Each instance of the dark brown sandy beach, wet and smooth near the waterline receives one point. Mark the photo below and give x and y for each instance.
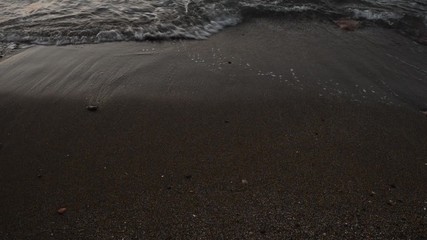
(269, 130)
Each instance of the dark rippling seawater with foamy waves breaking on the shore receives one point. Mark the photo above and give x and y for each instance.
(91, 21)
